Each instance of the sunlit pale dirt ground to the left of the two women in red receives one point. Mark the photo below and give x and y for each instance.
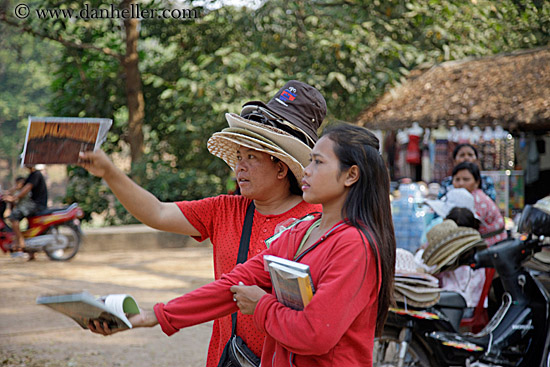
(35, 336)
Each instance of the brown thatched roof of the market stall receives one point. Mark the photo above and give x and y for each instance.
(511, 90)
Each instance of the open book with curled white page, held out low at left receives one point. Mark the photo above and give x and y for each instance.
(82, 307)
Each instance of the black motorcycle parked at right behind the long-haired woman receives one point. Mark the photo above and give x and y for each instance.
(518, 334)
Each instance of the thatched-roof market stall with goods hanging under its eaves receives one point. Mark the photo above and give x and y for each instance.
(500, 104)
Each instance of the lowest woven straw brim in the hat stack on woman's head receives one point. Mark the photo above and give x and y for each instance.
(225, 146)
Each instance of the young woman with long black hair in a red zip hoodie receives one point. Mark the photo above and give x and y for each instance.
(350, 249)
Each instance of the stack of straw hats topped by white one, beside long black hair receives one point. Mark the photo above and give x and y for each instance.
(412, 286)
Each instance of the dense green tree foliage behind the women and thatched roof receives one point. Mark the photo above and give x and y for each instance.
(194, 71)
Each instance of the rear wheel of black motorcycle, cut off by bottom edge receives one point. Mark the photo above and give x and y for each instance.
(387, 348)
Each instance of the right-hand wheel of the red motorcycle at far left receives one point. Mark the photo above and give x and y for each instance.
(67, 244)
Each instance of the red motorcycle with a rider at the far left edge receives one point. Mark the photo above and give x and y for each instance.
(56, 231)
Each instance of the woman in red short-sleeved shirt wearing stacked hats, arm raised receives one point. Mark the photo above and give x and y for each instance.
(267, 147)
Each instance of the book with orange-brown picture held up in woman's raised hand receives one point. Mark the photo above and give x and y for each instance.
(58, 140)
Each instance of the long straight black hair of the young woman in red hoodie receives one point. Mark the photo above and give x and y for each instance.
(367, 206)
